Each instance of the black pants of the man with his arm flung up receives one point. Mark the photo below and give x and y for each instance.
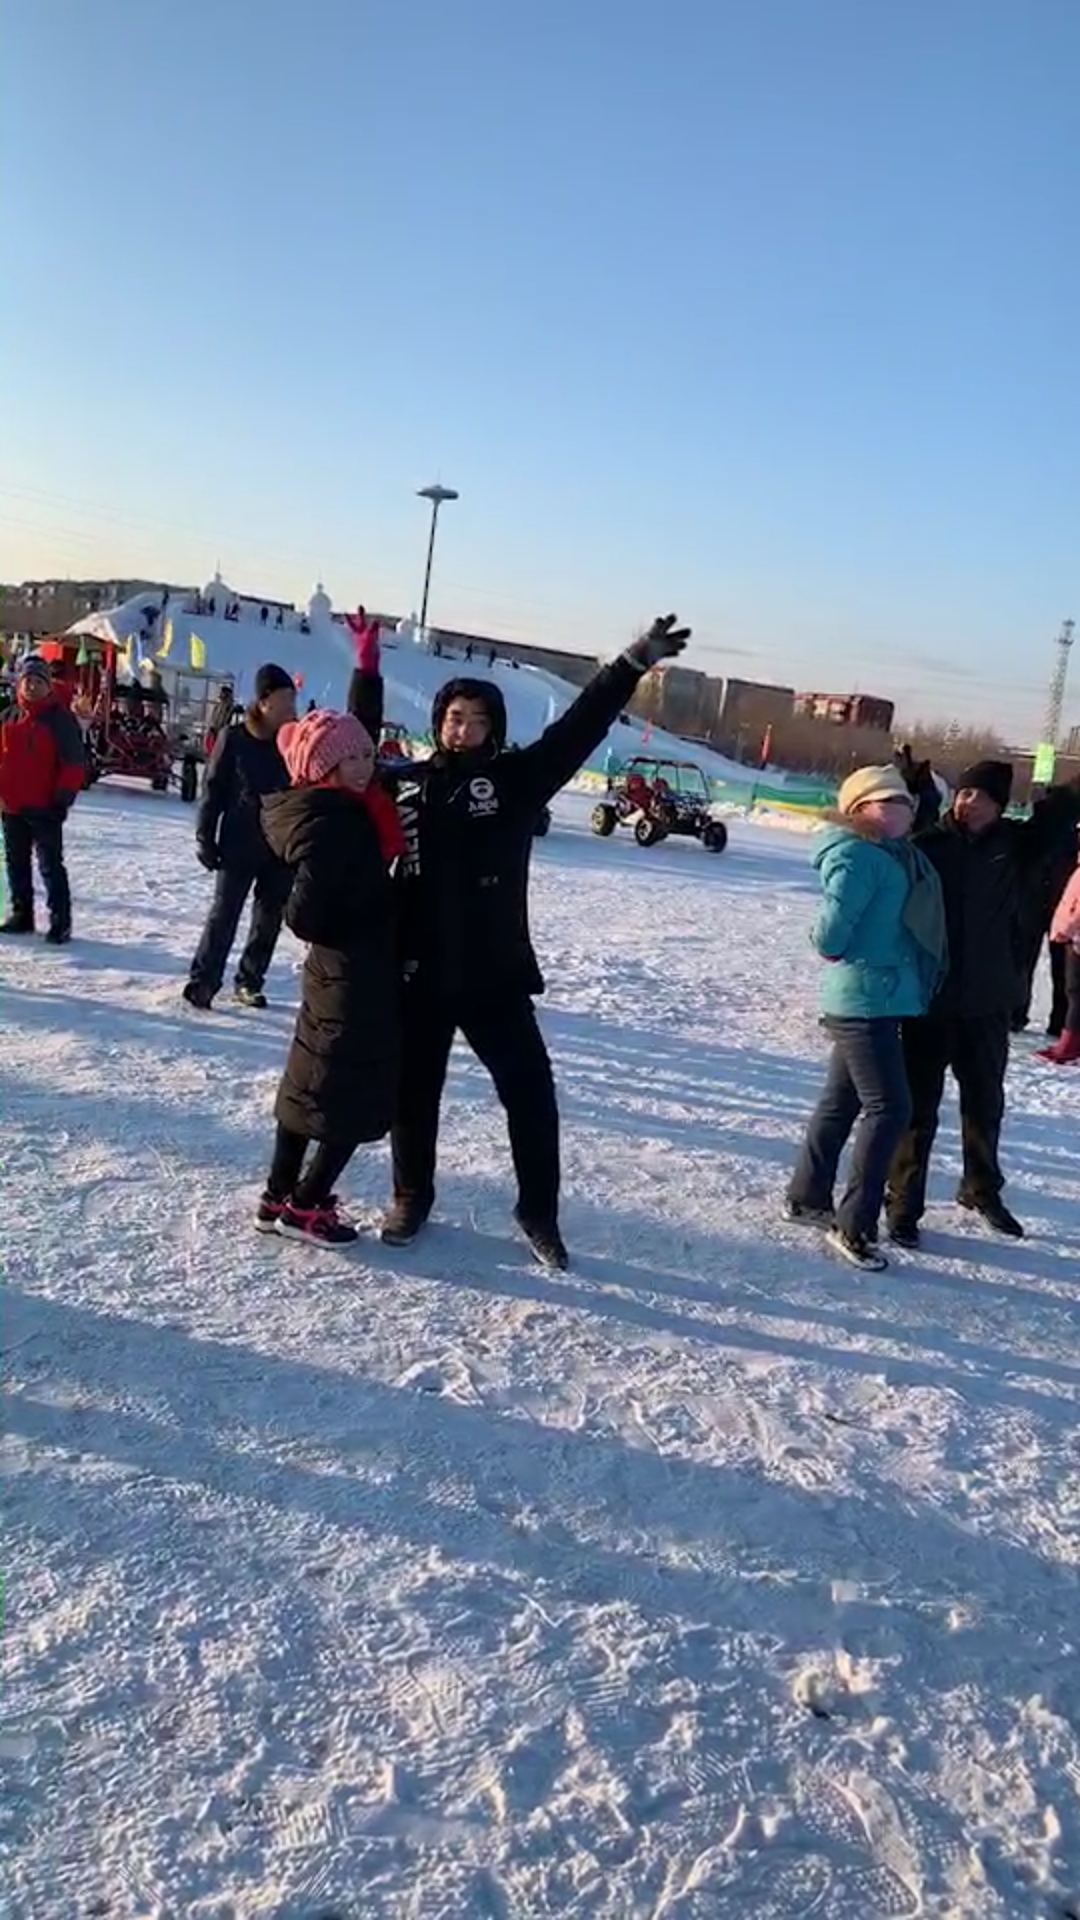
(508, 1042)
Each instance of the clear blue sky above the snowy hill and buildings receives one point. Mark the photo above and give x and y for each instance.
(766, 310)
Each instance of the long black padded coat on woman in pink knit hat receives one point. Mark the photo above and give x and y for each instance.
(343, 1065)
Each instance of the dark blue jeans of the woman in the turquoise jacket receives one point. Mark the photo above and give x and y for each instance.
(866, 1078)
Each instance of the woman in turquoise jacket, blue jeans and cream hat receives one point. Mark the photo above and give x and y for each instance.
(883, 932)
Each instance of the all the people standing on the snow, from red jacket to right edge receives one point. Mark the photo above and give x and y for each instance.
(408, 884)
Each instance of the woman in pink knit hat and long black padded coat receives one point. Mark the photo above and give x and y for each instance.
(337, 836)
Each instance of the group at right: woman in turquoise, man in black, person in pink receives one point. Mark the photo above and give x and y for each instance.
(925, 926)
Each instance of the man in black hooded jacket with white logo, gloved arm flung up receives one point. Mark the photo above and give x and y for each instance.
(470, 815)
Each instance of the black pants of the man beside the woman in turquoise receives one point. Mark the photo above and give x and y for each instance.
(979, 1055)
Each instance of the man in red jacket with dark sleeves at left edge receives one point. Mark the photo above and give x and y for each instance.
(41, 771)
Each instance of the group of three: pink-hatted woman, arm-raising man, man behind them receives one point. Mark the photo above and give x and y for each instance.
(408, 884)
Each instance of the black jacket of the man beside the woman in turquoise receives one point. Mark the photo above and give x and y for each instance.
(987, 884)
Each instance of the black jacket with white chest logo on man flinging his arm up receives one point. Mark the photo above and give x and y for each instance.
(470, 823)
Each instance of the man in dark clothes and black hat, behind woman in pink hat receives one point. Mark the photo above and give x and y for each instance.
(232, 846)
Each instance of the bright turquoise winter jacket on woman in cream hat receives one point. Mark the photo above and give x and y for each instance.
(881, 923)
